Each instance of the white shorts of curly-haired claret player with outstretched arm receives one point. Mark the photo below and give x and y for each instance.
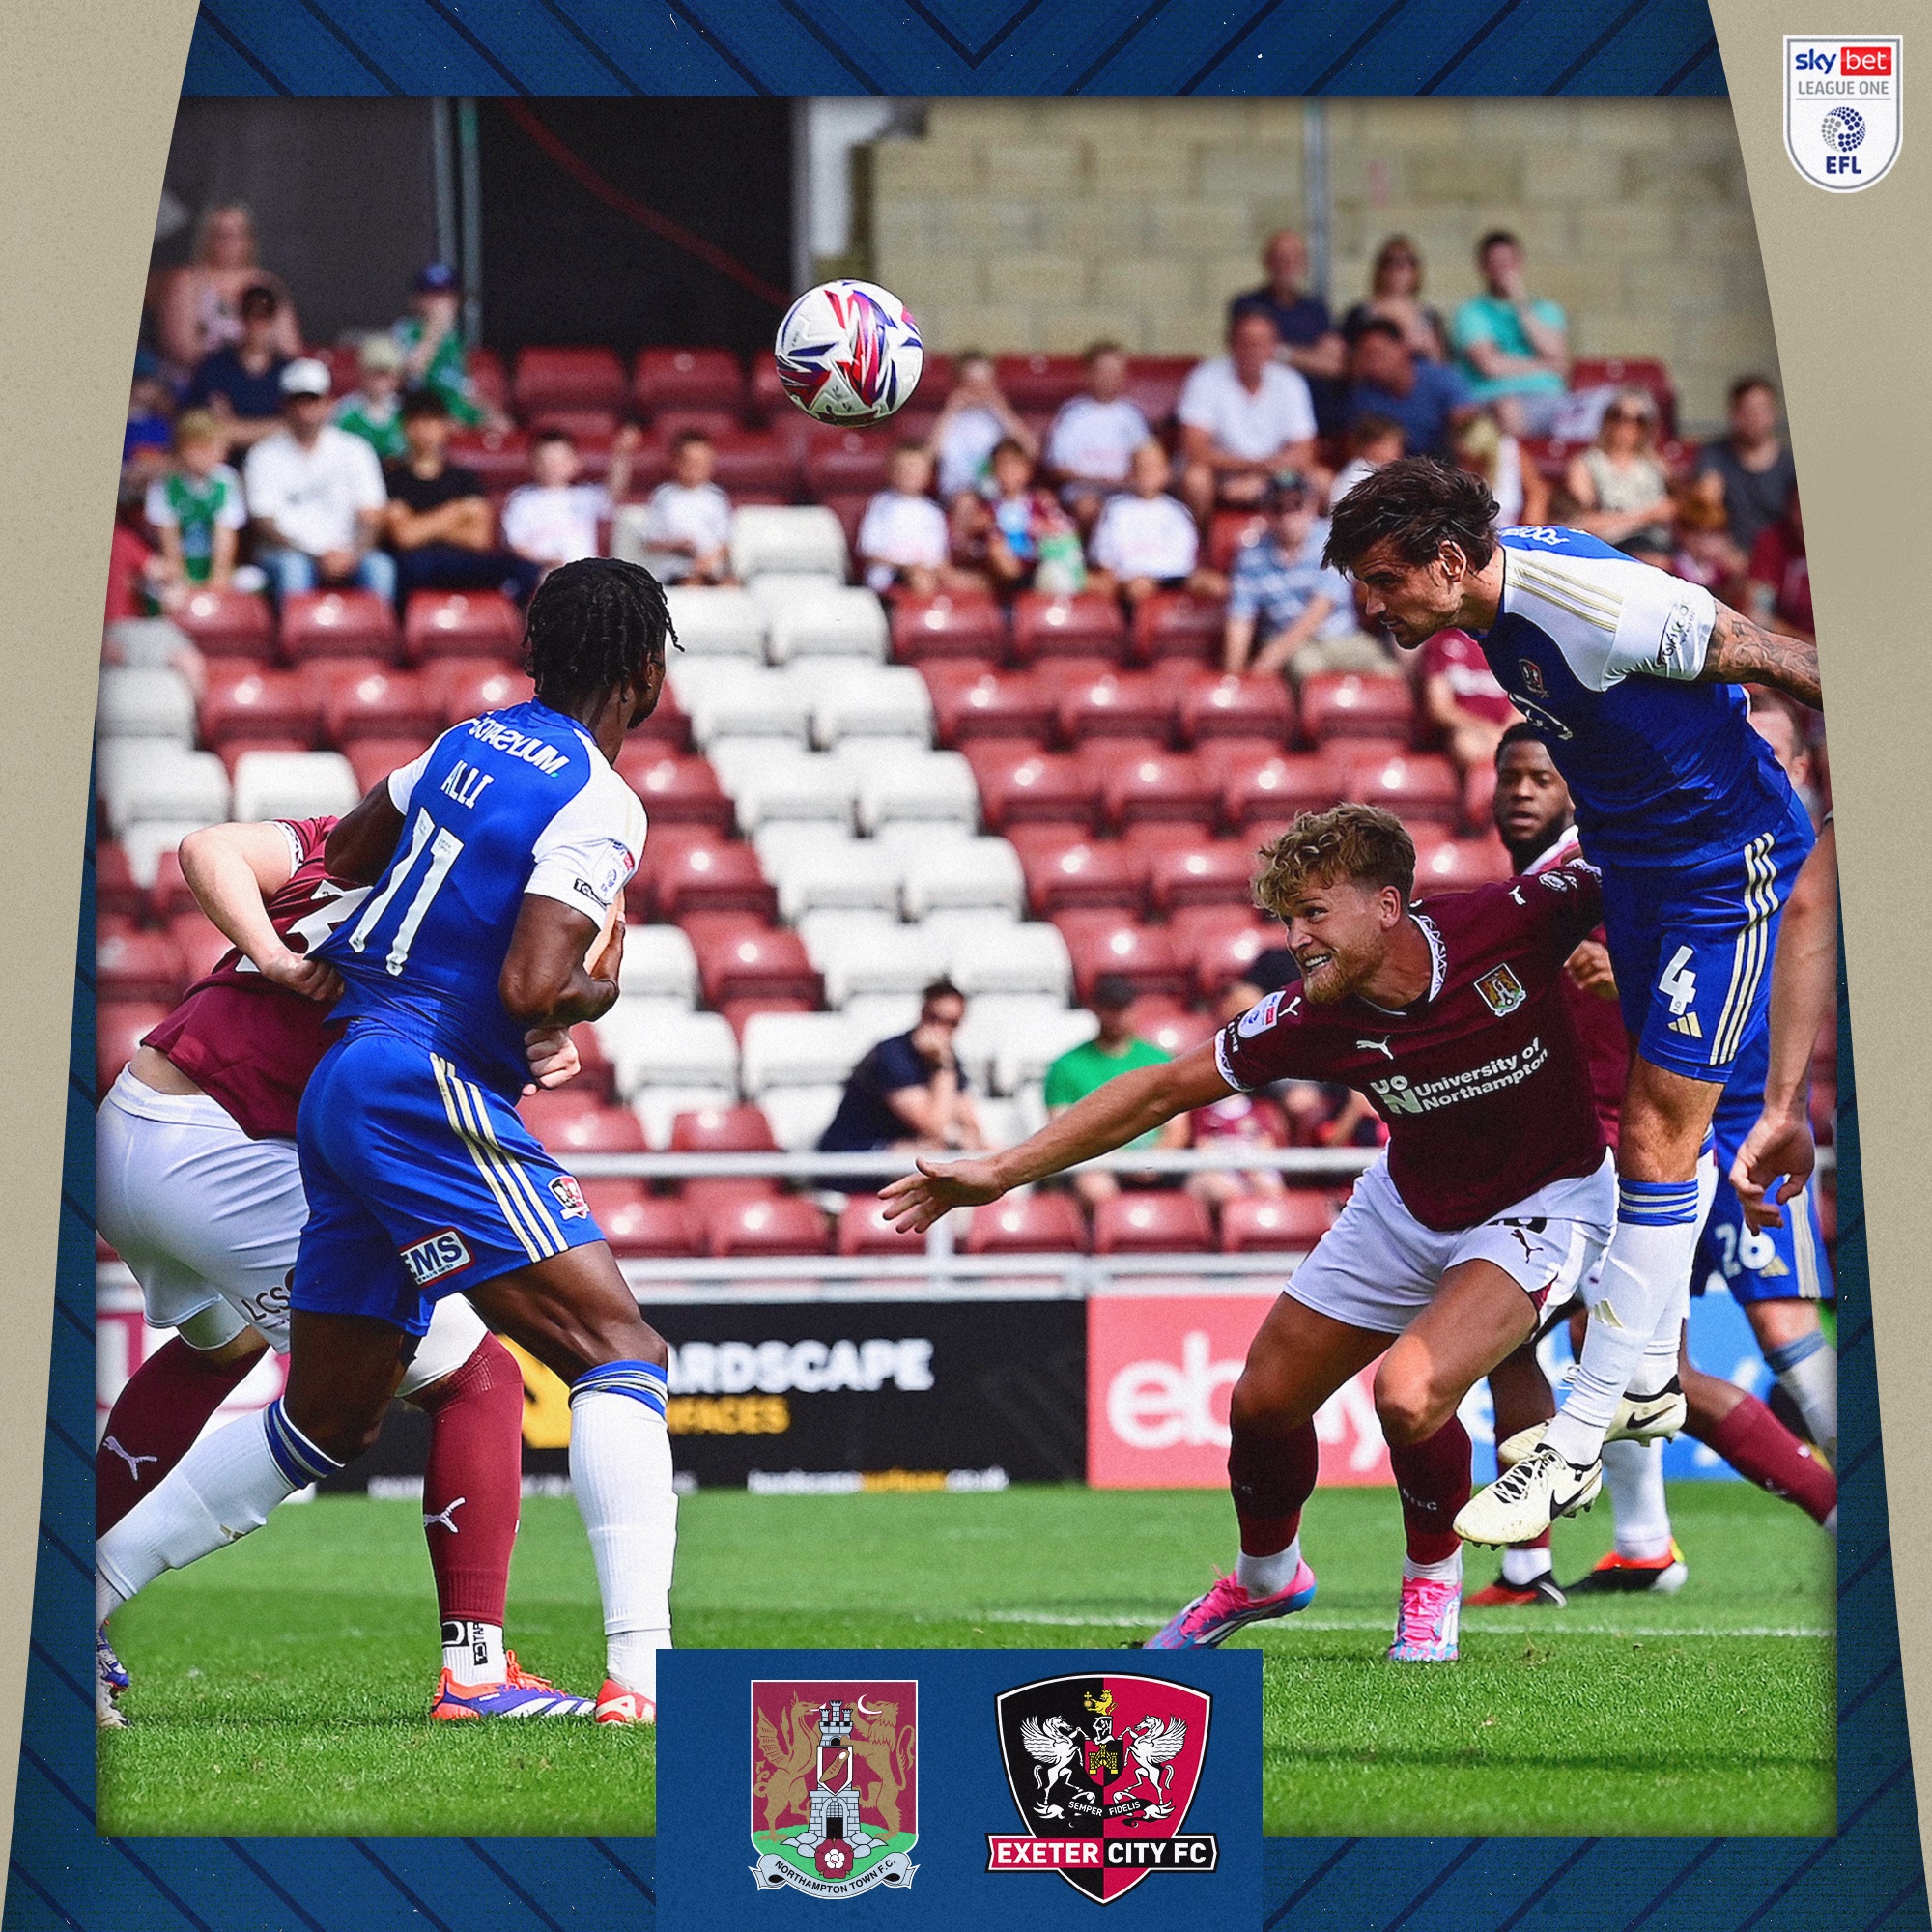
(1378, 1266)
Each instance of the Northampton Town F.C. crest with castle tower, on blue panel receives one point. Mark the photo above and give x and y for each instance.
(836, 1786)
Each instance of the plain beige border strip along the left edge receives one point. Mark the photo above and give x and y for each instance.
(88, 94)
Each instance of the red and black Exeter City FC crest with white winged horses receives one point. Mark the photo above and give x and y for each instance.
(1104, 1771)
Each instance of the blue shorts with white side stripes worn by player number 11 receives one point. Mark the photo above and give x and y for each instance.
(422, 1183)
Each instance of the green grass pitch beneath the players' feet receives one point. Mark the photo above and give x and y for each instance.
(281, 1686)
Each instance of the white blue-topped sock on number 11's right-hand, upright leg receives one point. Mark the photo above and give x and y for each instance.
(621, 1477)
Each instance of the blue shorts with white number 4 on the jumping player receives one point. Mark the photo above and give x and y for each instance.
(1693, 944)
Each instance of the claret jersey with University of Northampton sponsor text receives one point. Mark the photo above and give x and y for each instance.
(1483, 1081)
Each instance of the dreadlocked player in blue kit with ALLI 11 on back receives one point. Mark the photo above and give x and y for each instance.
(497, 867)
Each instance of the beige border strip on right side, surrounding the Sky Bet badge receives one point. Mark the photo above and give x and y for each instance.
(1852, 295)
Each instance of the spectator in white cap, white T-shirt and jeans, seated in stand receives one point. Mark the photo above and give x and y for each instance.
(316, 497)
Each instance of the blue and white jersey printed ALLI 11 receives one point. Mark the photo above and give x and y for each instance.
(509, 805)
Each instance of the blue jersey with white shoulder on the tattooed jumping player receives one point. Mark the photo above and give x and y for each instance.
(1605, 654)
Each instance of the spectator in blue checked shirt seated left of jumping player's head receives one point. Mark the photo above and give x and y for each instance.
(1292, 604)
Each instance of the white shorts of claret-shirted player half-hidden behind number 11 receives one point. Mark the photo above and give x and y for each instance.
(210, 1222)
